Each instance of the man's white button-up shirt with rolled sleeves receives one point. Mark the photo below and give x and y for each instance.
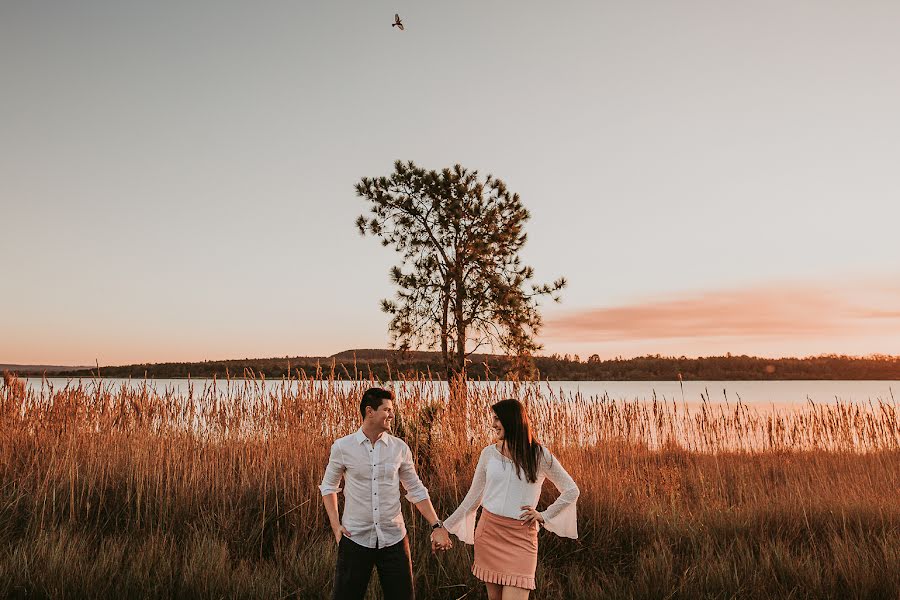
(372, 473)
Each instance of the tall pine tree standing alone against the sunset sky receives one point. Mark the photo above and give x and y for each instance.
(461, 284)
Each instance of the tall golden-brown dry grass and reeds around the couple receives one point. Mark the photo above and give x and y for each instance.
(133, 491)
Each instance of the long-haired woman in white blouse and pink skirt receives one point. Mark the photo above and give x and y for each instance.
(507, 484)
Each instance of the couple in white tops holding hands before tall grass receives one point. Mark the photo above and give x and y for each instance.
(506, 484)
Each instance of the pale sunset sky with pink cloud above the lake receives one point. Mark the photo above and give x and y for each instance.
(176, 178)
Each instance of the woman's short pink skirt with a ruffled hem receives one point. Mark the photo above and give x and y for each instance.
(505, 551)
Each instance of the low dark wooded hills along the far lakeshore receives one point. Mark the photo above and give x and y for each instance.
(388, 364)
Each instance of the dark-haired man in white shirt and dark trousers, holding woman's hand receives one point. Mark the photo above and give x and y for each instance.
(372, 533)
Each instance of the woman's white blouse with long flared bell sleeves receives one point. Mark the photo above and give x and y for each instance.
(498, 489)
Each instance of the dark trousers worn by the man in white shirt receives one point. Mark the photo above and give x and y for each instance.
(354, 569)
